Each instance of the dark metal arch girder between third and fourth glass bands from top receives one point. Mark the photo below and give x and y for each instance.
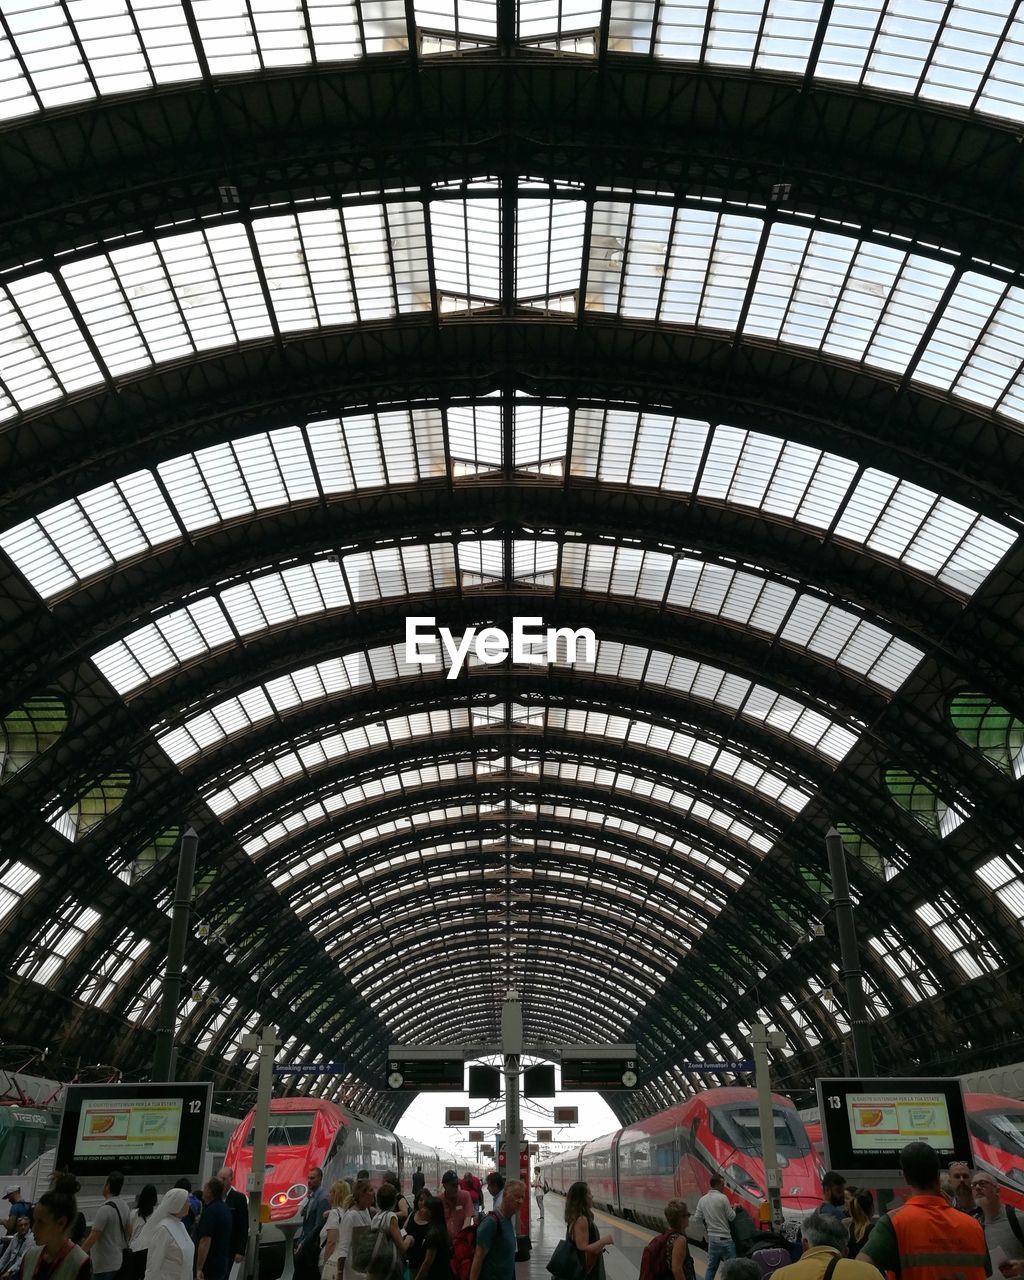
(918, 609)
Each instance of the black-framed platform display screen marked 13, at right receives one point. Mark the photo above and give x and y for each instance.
(866, 1124)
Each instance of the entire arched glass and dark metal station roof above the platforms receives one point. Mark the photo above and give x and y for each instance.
(730, 374)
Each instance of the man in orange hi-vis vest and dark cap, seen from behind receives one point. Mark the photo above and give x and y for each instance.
(927, 1238)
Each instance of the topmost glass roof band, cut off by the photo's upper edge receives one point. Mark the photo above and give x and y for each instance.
(966, 53)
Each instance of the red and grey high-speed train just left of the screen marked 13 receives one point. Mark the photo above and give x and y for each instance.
(636, 1172)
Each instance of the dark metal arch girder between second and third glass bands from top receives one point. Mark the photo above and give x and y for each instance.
(932, 440)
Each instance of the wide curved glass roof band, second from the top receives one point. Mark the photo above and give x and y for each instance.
(866, 301)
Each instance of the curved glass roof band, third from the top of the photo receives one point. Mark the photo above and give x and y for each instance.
(932, 536)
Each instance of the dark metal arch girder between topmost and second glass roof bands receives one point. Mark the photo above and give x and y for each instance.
(627, 121)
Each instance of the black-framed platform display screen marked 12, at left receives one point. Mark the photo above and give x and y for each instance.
(136, 1128)
